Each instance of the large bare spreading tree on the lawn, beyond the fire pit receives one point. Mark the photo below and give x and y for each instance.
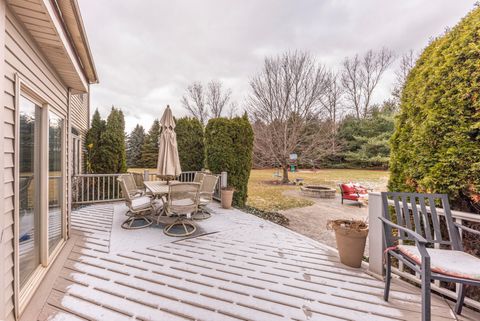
(285, 99)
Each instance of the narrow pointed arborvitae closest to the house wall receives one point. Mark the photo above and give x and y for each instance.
(94, 153)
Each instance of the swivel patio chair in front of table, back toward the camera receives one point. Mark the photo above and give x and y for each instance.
(182, 202)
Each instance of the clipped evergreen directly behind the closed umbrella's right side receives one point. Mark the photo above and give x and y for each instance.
(191, 147)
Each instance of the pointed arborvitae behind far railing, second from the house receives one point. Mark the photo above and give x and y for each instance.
(113, 143)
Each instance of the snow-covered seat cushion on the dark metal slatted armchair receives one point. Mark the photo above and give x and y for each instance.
(453, 263)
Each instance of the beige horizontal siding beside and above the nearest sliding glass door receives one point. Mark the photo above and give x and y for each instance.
(22, 57)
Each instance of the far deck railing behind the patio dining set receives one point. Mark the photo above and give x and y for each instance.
(97, 188)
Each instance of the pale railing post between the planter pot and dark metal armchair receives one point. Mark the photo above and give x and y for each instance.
(375, 238)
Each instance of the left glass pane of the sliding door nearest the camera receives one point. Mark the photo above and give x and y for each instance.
(29, 209)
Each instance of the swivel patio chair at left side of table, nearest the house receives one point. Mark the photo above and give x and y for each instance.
(138, 206)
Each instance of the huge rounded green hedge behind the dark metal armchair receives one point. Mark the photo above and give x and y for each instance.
(436, 144)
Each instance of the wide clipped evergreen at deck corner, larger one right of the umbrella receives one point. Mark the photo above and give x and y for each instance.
(229, 146)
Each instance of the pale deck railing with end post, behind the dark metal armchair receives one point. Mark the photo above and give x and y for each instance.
(377, 247)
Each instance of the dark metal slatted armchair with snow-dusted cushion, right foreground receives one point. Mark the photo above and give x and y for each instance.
(416, 218)
